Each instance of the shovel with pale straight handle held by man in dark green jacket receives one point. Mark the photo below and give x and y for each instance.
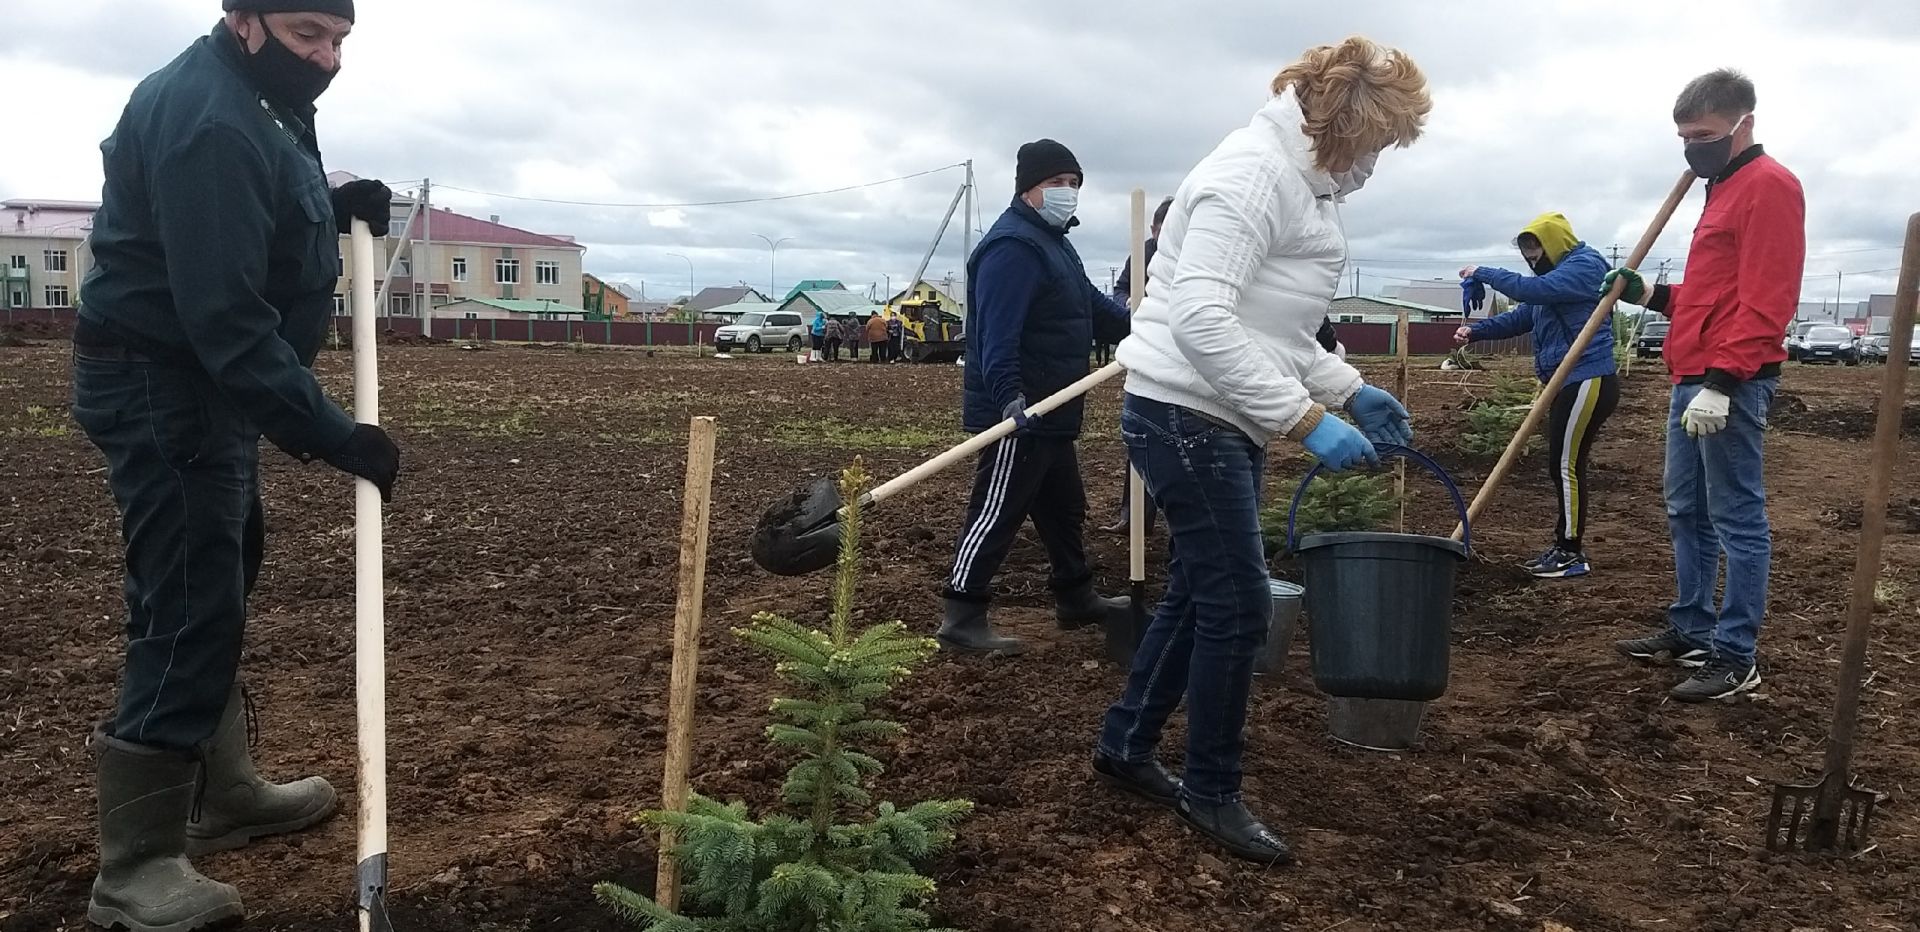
(370, 610)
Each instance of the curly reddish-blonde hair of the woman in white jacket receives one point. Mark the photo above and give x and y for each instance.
(1358, 99)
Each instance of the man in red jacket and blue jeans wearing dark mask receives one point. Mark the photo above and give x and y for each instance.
(1725, 353)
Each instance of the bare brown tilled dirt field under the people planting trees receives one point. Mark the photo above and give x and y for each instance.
(531, 610)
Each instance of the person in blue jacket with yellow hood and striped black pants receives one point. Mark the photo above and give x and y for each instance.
(1556, 303)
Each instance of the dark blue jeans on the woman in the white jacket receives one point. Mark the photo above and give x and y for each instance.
(1214, 618)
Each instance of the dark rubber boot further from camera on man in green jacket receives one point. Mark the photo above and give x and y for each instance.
(237, 804)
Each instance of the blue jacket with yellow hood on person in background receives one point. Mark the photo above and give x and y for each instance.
(1556, 307)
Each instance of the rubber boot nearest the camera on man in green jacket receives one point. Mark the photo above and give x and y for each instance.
(145, 881)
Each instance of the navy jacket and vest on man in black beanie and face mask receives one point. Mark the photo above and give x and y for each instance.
(1032, 322)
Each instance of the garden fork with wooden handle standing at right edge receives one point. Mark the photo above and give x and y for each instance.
(1835, 814)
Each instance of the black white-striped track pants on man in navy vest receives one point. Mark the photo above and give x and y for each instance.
(1017, 479)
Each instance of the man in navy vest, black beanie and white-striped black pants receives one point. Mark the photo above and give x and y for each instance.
(1032, 314)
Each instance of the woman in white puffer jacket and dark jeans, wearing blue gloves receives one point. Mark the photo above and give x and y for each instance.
(1222, 362)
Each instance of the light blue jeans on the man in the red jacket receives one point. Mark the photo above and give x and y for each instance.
(1717, 504)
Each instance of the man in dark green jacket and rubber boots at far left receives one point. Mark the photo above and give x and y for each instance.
(216, 260)
